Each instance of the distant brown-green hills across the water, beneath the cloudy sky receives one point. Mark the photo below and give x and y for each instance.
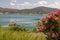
(37, 10)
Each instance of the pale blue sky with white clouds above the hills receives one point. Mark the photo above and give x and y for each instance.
(27, 4)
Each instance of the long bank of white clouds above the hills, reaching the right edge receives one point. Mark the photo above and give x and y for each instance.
(27, 5)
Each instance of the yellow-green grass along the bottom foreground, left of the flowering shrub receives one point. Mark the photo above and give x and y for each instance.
(15, 35)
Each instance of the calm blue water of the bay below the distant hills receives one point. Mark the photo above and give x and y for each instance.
(19, 19)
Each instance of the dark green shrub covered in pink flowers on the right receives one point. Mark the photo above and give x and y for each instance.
(51, 25)
